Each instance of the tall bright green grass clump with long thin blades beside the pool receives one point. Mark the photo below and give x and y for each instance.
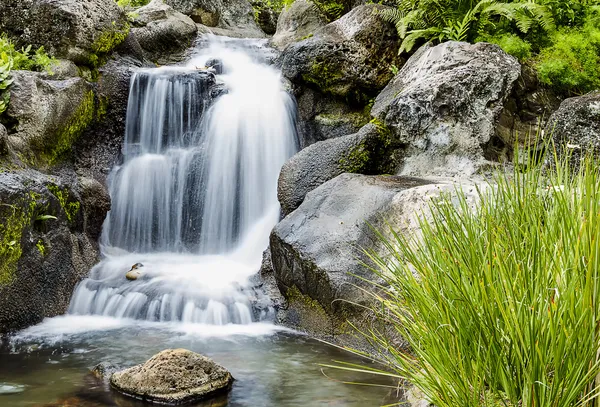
(500, 304)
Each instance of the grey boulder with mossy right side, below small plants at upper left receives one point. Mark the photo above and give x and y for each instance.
(48, 116)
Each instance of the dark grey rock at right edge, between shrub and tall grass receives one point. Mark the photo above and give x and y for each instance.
(575, 127)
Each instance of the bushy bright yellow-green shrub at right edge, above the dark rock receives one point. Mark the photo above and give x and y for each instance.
(571, 64)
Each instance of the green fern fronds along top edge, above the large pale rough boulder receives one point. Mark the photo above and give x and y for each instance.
(460, 20)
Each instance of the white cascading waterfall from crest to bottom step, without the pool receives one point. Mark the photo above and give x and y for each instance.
(195, 198)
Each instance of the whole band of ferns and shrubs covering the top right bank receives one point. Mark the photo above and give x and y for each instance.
(560, 38)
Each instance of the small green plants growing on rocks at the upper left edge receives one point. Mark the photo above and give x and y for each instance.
(24, 59)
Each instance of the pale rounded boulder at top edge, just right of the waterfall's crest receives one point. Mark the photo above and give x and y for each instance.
(298, 21)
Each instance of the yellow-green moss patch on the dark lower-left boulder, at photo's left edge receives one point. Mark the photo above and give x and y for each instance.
(18, 217)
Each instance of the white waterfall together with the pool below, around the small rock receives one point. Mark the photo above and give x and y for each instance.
(193, 201)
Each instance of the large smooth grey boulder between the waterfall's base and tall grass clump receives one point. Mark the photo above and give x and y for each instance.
(317, 250)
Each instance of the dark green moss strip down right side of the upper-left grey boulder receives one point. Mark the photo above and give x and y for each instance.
(72, 129)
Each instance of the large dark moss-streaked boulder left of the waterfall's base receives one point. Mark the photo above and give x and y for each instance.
(49, 227)
